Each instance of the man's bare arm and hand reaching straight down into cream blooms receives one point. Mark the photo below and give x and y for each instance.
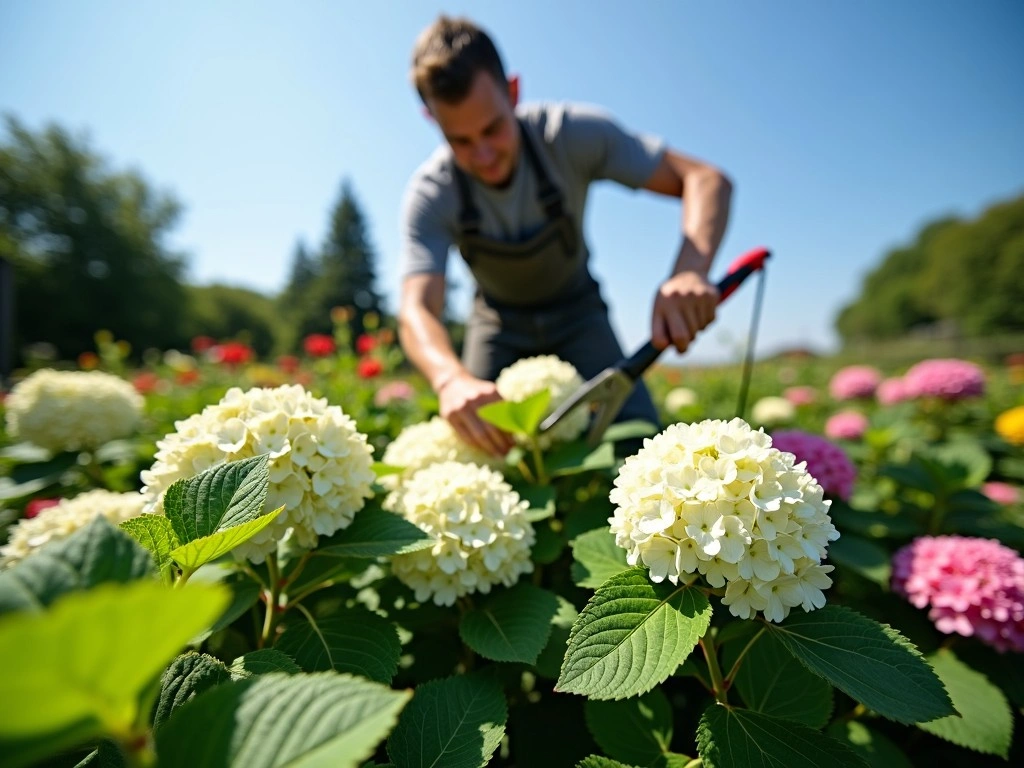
(428, 345)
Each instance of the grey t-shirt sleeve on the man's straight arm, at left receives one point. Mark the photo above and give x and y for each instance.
(425, 239)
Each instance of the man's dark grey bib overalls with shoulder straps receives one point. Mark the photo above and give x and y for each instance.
(536, 296)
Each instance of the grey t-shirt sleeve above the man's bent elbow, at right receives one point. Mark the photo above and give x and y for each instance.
(602, 149)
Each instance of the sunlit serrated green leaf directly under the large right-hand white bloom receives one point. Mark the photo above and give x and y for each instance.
(631, 636)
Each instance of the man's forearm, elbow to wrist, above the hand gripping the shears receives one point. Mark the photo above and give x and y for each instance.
(708, 196)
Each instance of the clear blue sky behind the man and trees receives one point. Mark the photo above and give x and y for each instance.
(845, 126)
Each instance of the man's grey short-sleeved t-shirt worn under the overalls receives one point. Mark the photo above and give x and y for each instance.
(578, 145)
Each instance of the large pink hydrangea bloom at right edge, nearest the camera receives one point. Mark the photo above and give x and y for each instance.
(973, 587)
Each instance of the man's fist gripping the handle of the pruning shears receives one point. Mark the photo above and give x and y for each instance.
(685, 307)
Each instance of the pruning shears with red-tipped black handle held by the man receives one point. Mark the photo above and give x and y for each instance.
(609, 391)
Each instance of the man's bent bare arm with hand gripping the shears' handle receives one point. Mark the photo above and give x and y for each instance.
(687, 302)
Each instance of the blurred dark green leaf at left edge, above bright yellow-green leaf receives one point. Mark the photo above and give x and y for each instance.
(97, 553)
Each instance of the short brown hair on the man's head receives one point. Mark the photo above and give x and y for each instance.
(448, 56)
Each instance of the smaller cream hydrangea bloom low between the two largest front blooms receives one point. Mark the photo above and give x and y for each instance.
(483, 537)
